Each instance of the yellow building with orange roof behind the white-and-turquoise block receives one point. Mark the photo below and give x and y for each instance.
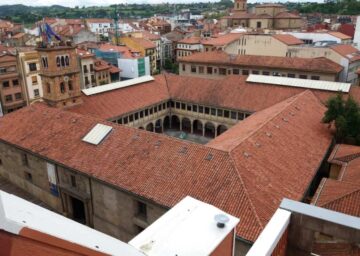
(146, 49)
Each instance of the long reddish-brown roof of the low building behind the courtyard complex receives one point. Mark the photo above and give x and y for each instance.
(321, 64)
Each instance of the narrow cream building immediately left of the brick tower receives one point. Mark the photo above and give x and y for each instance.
(29, 68)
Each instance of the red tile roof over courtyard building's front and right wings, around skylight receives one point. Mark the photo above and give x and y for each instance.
(250, 188)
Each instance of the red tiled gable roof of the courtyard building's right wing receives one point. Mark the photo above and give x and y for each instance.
(290, 130)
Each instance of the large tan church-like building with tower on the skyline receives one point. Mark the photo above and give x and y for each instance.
(266, 16)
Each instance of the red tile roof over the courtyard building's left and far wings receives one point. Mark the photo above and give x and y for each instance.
(232, 92)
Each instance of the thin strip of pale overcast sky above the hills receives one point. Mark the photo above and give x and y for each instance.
(80, 3)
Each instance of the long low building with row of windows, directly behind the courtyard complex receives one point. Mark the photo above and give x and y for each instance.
(219, 64)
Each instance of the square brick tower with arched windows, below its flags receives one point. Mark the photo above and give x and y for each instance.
(60, 75)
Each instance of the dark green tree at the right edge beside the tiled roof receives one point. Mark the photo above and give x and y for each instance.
(345, 114)
